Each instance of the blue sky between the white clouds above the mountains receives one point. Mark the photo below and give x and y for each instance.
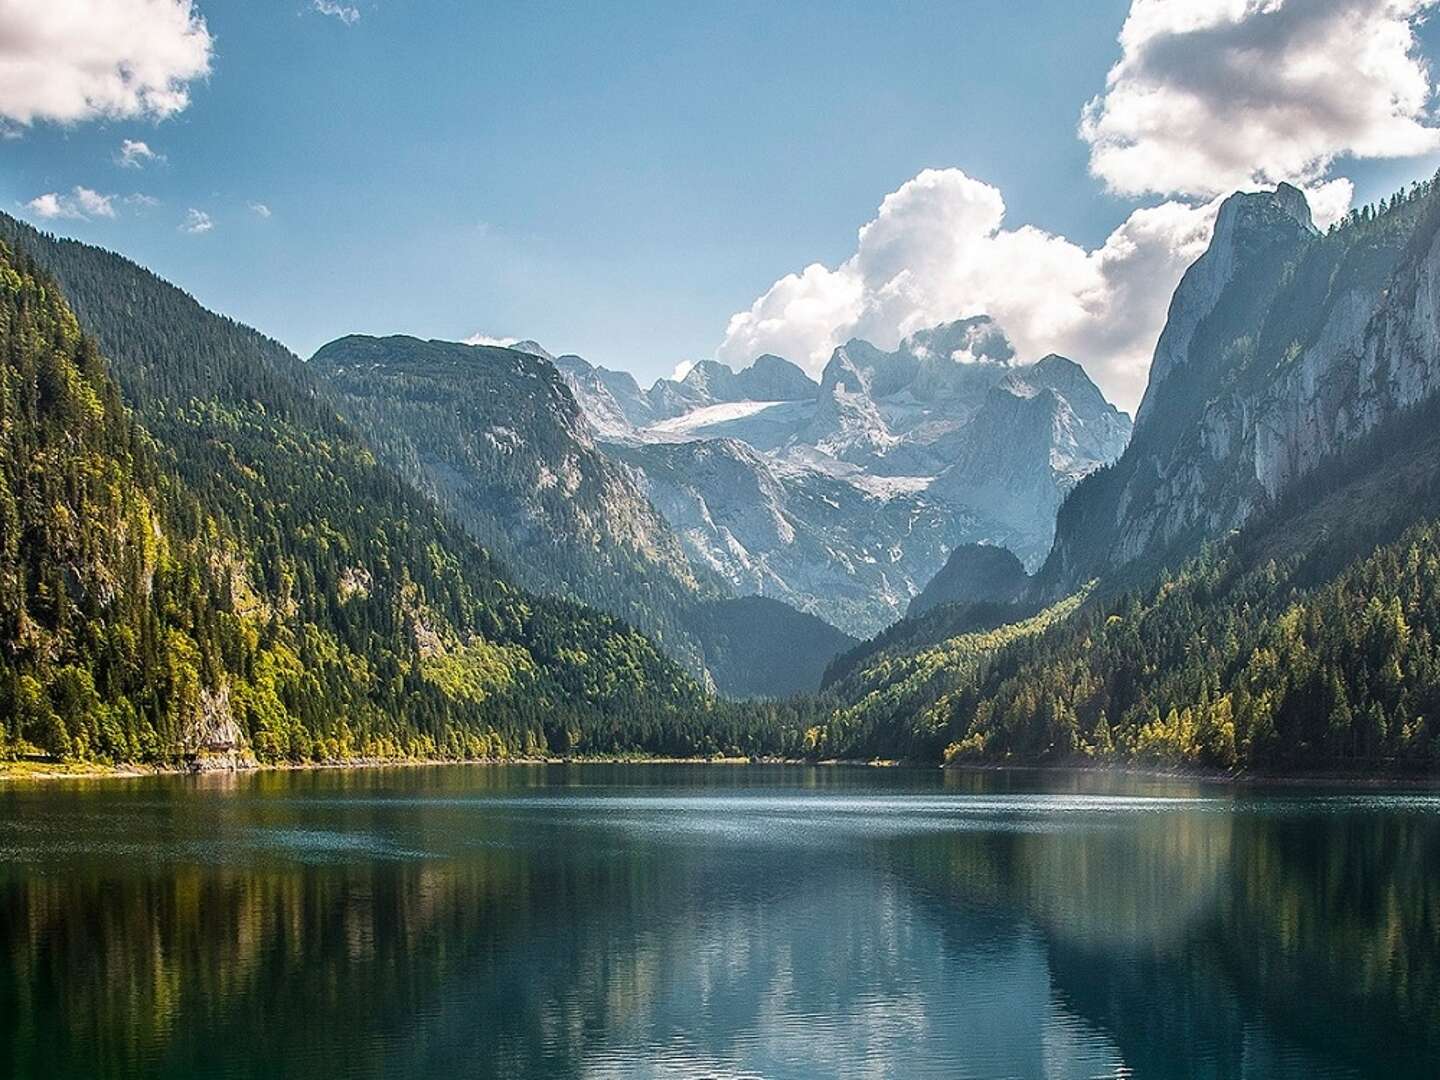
(614, 179)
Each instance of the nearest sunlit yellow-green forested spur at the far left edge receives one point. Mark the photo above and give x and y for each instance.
(110, 580)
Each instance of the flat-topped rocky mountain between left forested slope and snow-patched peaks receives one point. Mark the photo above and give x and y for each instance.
(496, 437)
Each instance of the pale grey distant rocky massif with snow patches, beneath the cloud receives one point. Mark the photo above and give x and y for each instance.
(845, 498)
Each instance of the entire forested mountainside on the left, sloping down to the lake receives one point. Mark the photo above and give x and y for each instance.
(233, 551)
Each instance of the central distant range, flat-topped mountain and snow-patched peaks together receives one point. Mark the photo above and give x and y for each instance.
(840, 499)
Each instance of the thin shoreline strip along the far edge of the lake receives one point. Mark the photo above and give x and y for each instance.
(40, 771)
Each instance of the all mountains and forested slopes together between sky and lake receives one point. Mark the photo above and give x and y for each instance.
(212, 551)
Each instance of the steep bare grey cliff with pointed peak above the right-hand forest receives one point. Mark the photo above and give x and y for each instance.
(1282, 348)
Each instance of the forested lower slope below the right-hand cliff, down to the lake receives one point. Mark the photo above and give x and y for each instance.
(1311, 640)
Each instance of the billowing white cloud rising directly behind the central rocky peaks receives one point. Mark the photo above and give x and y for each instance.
(938, 250)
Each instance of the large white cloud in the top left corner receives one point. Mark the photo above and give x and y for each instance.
(70, 61)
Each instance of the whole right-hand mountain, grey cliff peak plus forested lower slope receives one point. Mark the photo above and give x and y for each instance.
(1256, 581)
